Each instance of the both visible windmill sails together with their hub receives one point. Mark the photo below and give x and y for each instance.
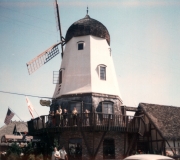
(49, 53)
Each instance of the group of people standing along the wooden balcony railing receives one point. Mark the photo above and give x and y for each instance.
(60, 118)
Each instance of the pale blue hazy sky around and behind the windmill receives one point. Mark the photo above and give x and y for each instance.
(145, 44)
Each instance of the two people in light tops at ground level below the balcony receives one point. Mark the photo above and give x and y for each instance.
(59, 155)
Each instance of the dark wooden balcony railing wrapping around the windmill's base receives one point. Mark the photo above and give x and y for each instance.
(85, 122)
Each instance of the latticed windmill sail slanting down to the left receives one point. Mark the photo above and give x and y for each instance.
(43, 58)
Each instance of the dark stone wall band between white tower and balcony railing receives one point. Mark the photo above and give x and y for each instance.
(90, 101)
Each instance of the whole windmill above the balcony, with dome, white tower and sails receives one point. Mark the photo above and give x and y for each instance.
(87, 76)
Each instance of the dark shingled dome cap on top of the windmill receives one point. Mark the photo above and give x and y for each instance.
(87, 26)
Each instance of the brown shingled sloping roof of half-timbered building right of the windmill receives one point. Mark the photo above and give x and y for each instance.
(165, 118)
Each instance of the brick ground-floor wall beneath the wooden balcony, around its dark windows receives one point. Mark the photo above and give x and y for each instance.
(117, 136)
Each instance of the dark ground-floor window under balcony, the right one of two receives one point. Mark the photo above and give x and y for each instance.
(108, 148)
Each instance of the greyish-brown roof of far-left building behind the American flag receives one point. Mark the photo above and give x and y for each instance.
(8, 129)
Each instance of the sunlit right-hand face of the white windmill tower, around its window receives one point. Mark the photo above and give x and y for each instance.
(100, 54)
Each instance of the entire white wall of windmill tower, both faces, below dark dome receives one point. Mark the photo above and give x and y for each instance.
(80, 73)
